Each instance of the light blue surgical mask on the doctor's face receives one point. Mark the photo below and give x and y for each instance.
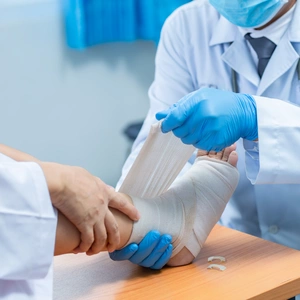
(248, 13)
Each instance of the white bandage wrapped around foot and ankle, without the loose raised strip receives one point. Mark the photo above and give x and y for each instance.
(191, 207)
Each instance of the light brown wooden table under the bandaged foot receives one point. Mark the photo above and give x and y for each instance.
(256, 269)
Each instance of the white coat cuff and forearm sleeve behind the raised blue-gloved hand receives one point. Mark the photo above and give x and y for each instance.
(275, 158)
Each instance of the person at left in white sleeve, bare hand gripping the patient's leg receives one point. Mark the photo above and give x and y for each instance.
(28, 190)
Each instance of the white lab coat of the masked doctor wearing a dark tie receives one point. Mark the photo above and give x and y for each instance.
(198, 48)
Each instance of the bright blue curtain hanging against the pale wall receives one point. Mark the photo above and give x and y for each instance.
(91, 22)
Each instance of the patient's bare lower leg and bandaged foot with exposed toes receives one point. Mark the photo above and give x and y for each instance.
(188, 210)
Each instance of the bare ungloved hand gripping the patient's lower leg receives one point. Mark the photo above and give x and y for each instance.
(85, 200)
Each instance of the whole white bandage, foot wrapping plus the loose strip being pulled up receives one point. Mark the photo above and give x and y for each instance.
(194, 203)
